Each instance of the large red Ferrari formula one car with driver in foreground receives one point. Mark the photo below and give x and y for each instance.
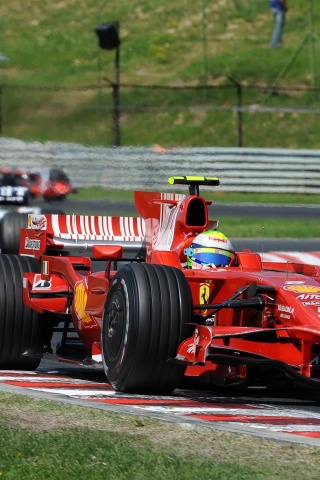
(145, 316)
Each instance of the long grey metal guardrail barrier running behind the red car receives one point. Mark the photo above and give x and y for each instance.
(129, 168)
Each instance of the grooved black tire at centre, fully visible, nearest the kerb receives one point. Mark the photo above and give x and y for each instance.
(147, 314)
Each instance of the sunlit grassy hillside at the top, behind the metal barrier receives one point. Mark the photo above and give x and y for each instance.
(53, 50)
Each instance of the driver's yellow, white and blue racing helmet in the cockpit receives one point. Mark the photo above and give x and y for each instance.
(209, 249)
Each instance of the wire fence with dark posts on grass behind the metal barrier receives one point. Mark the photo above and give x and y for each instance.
(229, 115)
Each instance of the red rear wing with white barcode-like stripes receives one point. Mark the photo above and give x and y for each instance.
(79, 233)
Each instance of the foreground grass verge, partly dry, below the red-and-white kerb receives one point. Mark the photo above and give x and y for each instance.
(43, 439)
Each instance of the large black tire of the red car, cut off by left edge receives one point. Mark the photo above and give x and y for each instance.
(20, 326)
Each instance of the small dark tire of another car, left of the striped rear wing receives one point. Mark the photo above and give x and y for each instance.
(10, 227)
